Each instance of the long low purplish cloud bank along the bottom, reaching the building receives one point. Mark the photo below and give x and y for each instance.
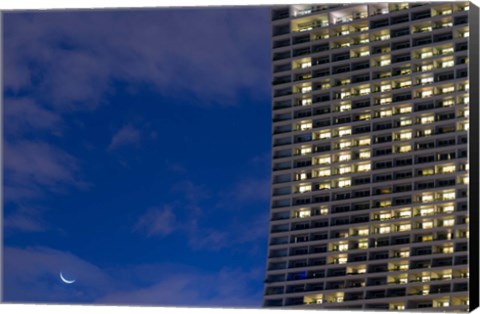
(32, 275)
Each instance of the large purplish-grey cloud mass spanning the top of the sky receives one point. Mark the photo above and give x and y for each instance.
(218, 54)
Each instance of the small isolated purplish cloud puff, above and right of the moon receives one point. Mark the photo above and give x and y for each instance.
(156, 221)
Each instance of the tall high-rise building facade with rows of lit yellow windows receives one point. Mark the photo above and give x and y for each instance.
(370, 155)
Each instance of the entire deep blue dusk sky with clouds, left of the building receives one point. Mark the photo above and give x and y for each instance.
(137, 156)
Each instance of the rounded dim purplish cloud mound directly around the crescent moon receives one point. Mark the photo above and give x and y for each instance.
(32, 275)
